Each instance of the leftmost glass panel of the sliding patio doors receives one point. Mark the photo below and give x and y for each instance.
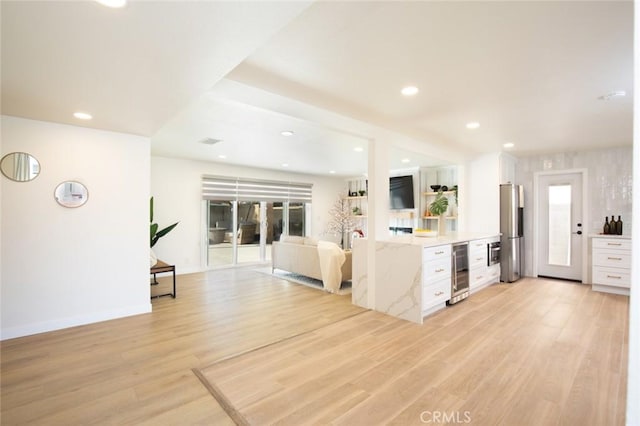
(220, 233)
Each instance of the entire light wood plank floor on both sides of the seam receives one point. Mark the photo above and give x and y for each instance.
(533, 352)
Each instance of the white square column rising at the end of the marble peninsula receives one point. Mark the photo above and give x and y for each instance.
(378, 223)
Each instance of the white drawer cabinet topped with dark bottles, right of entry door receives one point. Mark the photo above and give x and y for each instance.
(611, 264)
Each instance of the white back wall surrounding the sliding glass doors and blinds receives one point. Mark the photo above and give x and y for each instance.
(176, 186)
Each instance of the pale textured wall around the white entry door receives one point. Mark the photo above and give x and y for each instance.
(609, 187)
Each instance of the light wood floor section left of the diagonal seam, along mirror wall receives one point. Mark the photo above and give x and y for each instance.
(138, 370)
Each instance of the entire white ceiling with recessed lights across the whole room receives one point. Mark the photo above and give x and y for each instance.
(529, 72)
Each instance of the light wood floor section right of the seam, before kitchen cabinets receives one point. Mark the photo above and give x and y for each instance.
(534, 353)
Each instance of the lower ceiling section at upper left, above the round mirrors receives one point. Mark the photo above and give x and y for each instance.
(132, 68)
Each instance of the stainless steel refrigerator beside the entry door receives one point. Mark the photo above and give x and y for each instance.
(511, 228)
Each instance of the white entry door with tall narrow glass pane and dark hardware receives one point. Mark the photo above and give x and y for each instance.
(560, 226)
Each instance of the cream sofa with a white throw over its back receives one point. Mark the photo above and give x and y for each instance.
(300, 255)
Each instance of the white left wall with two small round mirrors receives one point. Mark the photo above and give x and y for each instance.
(65, 267)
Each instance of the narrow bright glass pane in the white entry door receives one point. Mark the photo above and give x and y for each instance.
(560, 225)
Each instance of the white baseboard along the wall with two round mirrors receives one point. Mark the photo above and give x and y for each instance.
(58, 324)
